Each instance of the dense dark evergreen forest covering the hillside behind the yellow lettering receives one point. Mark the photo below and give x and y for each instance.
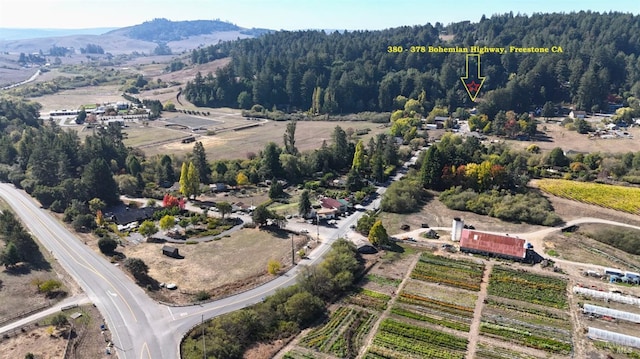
(346, 72)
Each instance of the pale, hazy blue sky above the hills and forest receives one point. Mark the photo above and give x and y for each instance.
(281, 14)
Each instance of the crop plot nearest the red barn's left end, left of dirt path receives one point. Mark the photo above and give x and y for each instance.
(450, 272)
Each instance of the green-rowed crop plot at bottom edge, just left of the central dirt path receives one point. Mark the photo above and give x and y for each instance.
(396, 339)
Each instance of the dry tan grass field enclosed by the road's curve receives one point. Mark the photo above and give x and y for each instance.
(217, 263)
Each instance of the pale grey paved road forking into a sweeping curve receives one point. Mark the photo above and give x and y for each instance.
(141, 328)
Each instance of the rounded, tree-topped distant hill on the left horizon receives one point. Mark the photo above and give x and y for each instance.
(163, 30)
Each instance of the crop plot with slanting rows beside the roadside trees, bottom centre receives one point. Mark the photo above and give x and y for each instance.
(343, 334)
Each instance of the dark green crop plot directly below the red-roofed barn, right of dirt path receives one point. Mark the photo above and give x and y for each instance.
(528, 287)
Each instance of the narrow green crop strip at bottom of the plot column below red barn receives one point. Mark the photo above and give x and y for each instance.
(525, 338)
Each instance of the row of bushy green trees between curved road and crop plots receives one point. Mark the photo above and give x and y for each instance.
(283, 314)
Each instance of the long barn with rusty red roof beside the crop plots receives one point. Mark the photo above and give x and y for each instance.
(493, 245)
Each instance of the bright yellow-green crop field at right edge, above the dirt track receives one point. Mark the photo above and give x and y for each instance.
(626, 199)
